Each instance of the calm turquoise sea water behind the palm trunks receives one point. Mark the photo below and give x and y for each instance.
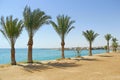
(40, 54)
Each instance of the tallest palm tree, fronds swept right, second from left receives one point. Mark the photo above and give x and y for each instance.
(33, 20)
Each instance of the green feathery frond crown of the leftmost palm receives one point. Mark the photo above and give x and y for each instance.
(11, 29)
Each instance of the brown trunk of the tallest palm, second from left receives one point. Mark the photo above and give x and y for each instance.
(30, 44)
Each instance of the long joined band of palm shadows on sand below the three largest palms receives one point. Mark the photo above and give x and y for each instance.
(38, 66)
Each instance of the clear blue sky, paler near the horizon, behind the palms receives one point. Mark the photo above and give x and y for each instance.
(101, 16)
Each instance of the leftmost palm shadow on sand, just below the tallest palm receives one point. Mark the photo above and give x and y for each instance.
(34, 67)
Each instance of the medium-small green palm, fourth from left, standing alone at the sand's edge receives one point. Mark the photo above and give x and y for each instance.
(90, 37)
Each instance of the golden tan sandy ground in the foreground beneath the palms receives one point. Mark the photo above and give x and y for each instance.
(97, 67)
